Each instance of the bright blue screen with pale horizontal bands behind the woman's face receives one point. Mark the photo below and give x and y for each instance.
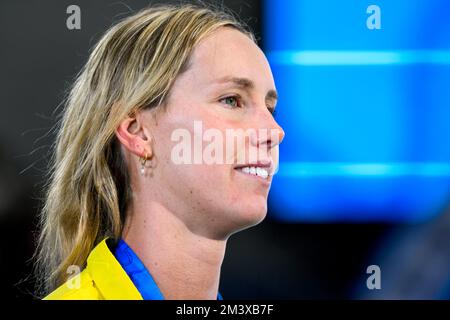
(366, 112)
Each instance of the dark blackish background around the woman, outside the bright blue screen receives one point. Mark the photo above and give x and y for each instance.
(39, 58)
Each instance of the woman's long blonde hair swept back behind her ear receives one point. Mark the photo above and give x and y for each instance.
(132, 67)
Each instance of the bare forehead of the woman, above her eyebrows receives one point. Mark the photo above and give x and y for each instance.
(228, 52)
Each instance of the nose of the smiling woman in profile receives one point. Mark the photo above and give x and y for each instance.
(269, 132)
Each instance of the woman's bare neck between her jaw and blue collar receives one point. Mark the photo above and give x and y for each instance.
(183, 264)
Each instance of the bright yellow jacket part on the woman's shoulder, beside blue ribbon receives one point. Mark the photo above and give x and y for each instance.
(103, 278)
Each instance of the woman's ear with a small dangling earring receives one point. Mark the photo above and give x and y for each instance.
(134, 135)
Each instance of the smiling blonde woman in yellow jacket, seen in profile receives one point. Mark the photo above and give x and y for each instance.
(120, 206)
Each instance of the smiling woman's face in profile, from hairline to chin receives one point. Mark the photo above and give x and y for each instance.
(228, 87)
